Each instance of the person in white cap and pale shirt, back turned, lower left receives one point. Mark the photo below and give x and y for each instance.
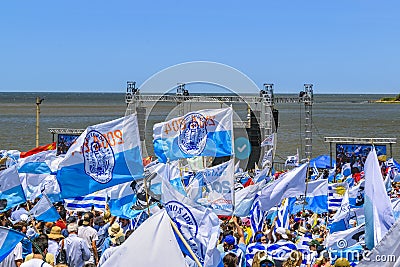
(77, 249)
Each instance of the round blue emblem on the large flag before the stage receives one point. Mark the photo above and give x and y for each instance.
(193, 134)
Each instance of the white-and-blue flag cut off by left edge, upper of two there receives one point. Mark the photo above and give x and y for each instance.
(11, 192)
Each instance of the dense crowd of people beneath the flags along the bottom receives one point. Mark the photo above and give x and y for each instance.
(89, 238)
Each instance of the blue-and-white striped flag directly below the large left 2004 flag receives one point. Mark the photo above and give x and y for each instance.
(96, 201)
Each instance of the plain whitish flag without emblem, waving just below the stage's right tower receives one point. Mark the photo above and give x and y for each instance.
(290, 184)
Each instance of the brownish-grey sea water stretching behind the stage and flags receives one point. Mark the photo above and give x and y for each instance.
(333, 115)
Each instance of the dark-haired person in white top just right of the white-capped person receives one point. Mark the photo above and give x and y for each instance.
(89, 234)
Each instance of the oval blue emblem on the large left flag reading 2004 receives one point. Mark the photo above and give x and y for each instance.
(99, 159)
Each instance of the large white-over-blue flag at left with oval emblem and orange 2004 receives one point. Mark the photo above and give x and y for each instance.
(104, 155)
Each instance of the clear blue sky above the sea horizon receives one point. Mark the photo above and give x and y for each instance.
(339, 46)
